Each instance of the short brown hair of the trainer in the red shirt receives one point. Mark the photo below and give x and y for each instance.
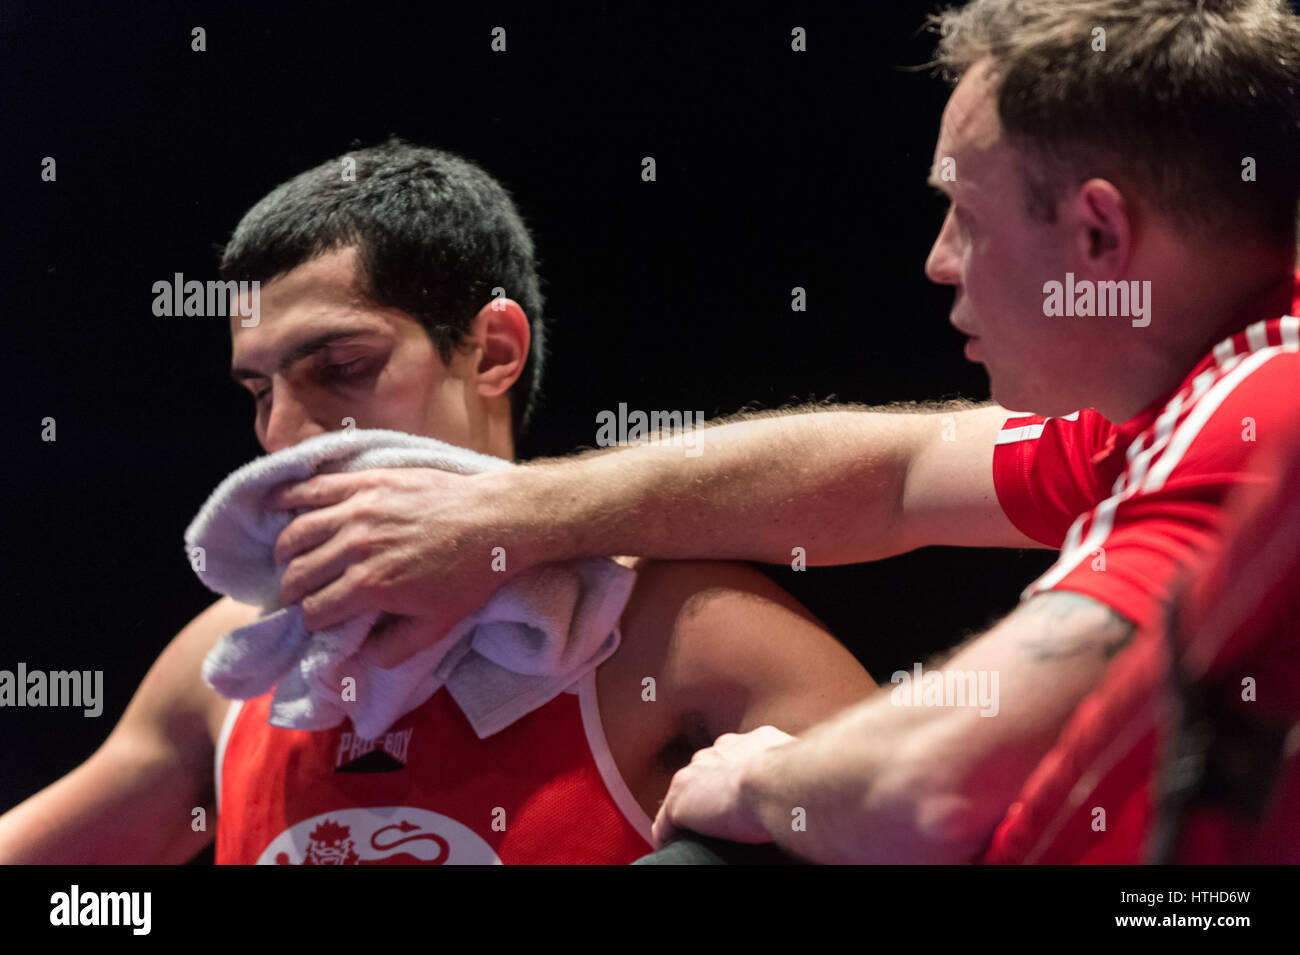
(1184, 93)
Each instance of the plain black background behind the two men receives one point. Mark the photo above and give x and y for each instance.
(775, 170)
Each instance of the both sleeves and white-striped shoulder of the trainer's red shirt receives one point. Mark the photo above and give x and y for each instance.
(1132, 505)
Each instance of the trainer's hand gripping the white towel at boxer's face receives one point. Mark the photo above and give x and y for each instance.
(411, 542)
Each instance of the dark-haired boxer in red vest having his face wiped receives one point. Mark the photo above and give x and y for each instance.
(406, 298)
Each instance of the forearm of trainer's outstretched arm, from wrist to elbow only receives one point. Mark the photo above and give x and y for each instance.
(830, 483)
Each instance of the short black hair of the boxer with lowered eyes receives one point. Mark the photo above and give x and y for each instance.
(435, 236)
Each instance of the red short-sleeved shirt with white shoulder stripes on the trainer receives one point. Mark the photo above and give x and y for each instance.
(1133, 509)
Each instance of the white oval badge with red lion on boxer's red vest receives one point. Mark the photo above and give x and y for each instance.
(379, 836)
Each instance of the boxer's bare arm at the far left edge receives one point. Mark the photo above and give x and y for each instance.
(133, 801)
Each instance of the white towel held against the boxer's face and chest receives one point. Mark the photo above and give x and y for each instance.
(540, 633)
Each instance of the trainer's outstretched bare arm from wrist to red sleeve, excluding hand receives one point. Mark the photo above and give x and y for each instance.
(848, 487)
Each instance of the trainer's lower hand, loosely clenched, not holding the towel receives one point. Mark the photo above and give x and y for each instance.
(708, 795)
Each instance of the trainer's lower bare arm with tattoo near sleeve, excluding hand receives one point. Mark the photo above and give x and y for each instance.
(885, 783)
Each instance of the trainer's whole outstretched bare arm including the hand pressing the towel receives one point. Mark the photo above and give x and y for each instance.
(842, 485)
